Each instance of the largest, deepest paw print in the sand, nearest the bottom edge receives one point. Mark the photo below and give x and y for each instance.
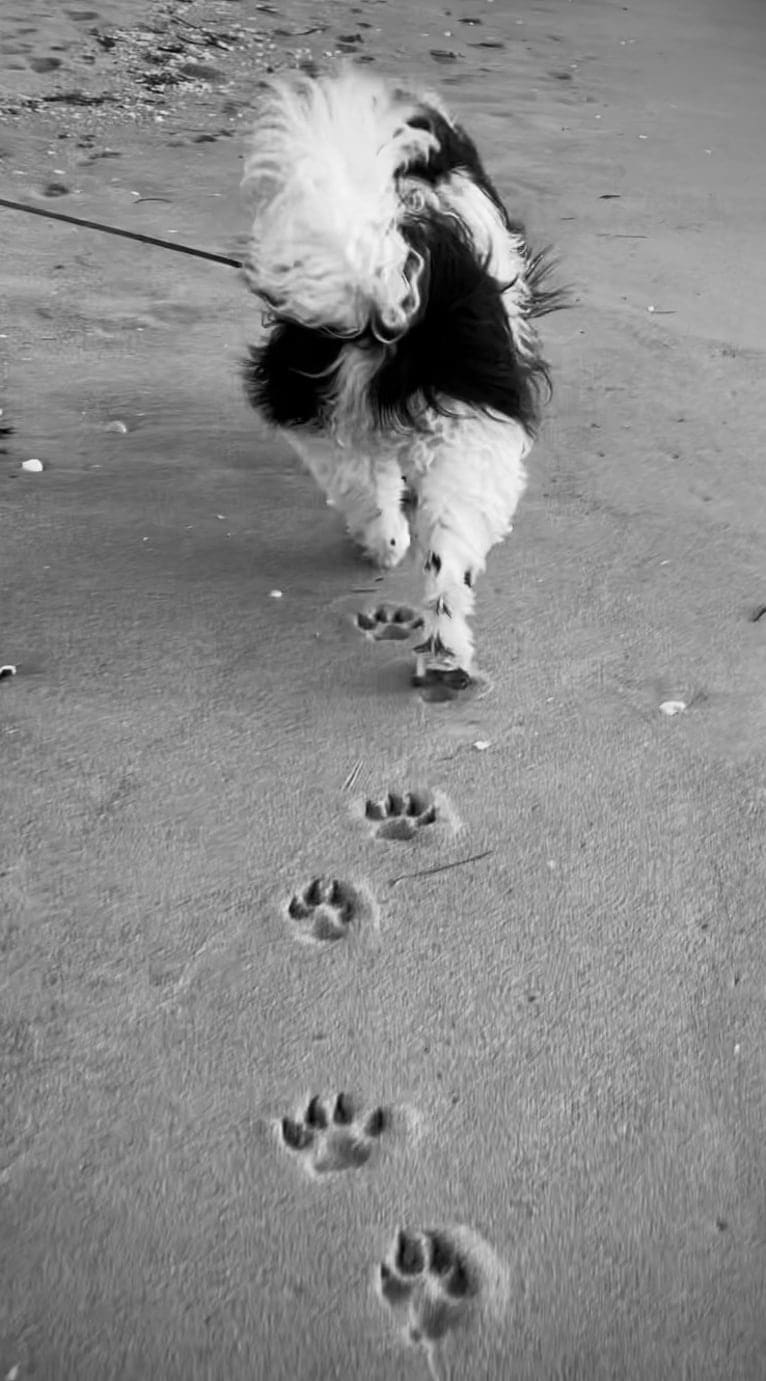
(429, 1275)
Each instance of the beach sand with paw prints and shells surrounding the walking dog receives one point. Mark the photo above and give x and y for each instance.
(542, 1001)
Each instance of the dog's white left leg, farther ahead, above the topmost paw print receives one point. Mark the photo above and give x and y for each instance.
(366, 490)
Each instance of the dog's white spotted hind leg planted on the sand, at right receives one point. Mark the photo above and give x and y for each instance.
(467, 499)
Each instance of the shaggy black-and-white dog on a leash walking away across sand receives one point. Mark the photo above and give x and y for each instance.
(401, 358)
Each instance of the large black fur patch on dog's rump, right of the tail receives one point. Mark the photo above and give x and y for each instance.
(460, 350)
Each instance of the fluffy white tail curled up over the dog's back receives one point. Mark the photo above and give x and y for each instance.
(324, 177)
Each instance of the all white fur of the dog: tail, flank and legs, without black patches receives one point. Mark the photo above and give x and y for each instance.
(328, 252)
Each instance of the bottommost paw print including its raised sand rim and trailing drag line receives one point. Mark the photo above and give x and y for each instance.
(440, 1281)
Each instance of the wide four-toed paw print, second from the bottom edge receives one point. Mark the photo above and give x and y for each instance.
(333, 1139)
